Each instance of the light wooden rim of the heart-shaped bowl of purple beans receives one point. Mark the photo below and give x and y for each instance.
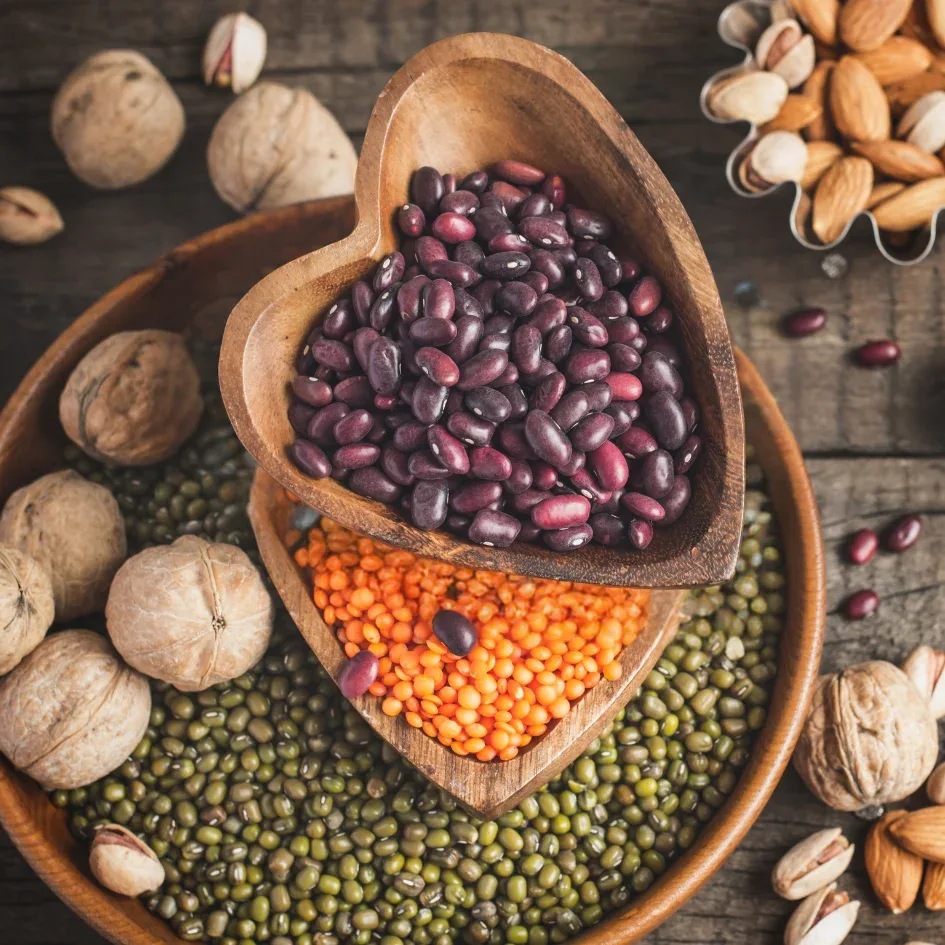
(710, 557)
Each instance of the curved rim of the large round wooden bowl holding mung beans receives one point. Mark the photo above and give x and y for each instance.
(112, 916)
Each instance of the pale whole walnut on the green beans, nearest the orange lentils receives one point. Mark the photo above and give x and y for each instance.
(193, 613)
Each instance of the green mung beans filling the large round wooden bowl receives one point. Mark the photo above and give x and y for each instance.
(281, 817)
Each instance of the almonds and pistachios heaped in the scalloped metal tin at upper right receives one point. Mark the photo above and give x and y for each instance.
(849, 102)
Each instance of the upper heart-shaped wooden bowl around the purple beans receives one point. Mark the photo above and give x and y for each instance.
(459, 105)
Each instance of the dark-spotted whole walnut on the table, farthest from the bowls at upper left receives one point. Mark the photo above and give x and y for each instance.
(116, 119)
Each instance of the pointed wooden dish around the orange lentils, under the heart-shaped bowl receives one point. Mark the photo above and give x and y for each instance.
(488, 789)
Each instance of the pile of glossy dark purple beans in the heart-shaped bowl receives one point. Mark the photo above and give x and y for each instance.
(505, 375)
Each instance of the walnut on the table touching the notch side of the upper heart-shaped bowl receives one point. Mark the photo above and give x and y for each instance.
(276, 146)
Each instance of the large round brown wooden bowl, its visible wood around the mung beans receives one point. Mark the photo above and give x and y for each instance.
(191, 285)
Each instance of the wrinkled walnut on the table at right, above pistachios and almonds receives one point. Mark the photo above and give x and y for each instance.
(870, 738)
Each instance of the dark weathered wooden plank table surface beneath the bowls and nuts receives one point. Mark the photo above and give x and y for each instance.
(875, 440)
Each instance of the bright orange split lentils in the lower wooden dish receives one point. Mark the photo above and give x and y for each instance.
(542, 644)
